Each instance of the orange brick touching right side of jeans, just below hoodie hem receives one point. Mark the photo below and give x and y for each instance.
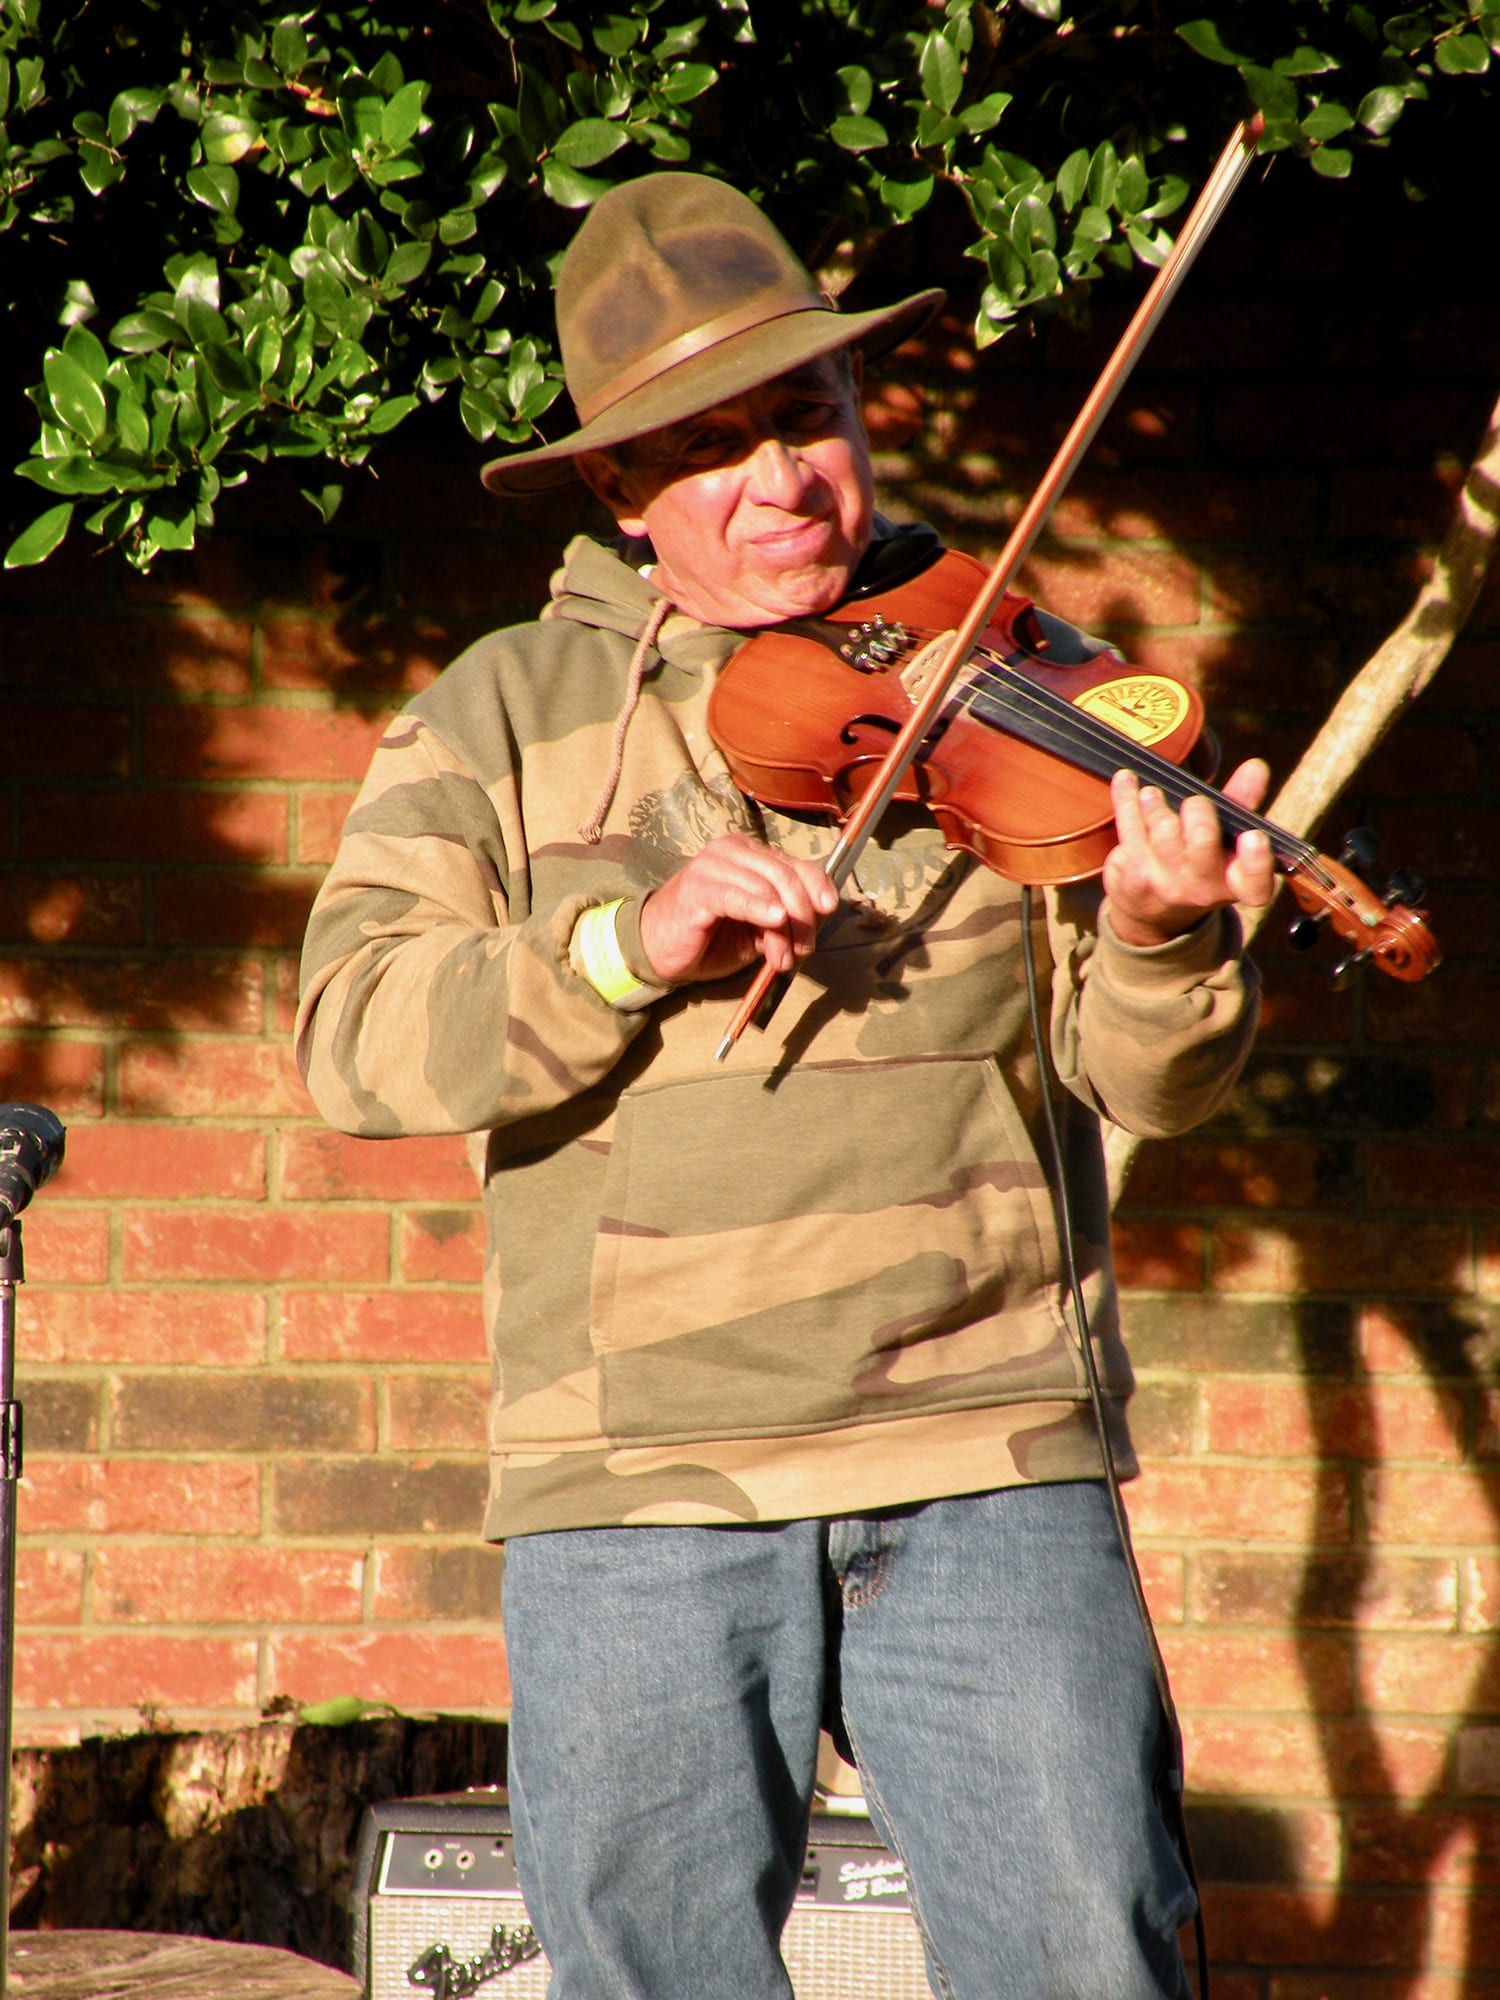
(1271, 1505)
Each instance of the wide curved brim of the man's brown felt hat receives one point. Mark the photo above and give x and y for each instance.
(727, 369)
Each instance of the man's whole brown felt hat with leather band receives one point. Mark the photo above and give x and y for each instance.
(673, 297)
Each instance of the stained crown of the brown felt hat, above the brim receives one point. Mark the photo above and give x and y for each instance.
(657, 263)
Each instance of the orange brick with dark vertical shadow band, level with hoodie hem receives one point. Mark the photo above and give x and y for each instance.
(1333, 1421)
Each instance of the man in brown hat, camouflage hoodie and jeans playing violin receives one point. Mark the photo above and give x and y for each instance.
(791, 1421)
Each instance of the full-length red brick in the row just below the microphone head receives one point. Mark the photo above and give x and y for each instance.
(269, 1247)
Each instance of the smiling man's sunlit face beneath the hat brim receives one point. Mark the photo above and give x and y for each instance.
(759, 509)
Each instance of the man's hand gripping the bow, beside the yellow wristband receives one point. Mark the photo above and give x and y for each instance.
(733, 903)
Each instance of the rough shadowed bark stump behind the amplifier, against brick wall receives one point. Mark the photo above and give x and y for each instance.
(239, 1835)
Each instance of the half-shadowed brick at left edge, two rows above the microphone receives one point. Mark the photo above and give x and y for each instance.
(149, 995)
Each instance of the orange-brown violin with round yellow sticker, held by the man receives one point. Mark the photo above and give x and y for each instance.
(1019, 761)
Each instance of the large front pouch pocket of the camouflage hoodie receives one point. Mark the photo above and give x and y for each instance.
(853, 1241)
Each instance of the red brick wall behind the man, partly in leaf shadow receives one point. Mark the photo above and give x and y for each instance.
(251, 1351)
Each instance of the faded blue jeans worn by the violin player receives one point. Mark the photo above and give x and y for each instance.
(989, 1667)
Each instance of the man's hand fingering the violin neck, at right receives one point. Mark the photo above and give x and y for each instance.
(1171, 869)
